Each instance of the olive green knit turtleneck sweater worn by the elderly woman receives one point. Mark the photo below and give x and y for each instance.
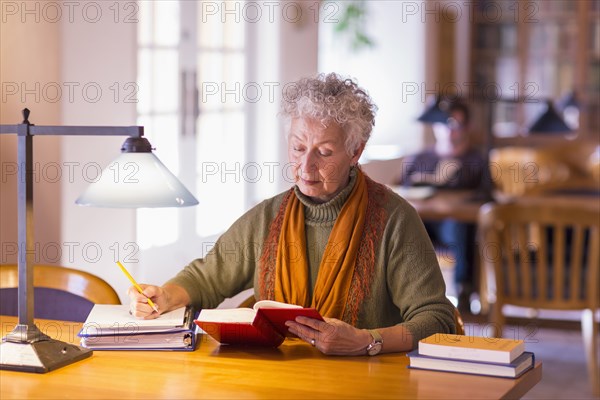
(407, 288)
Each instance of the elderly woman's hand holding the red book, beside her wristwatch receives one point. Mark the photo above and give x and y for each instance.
(331, 336)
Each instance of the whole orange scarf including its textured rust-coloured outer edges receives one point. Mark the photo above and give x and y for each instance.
(346, 273)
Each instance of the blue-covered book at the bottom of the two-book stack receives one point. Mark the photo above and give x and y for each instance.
(518, 367)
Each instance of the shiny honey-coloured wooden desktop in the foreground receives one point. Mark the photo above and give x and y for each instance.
(294, 370)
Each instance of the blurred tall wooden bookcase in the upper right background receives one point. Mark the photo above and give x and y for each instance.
(524, 52)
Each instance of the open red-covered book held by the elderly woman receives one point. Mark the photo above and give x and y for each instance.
(263, 325)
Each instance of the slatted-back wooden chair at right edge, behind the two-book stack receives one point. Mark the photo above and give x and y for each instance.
(544, 256)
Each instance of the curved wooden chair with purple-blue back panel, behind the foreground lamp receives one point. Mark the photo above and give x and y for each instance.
(59, 293)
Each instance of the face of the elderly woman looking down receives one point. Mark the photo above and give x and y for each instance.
(319, 159)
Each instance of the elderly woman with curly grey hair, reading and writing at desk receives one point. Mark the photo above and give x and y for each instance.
(336, 241)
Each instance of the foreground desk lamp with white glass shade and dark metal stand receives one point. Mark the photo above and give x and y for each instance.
(151, 184)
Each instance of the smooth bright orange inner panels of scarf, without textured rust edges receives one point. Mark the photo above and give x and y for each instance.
(337, 265)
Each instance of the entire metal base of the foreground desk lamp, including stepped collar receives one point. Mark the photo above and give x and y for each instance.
(29, 350)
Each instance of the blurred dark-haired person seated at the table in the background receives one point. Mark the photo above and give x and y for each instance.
(451, 164)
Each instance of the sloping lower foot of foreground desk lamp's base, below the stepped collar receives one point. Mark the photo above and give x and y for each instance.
(40, 357)
